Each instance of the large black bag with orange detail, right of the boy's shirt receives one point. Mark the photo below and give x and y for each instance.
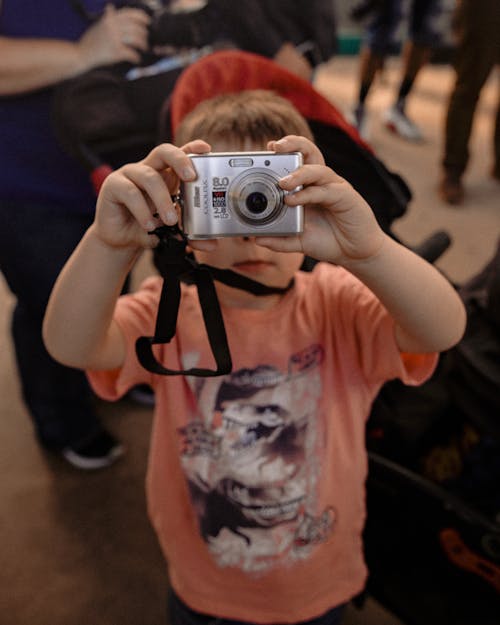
(433, 486)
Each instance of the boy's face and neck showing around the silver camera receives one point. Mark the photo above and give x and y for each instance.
(244, 256)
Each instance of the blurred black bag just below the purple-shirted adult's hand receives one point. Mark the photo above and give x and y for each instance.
(111, 113)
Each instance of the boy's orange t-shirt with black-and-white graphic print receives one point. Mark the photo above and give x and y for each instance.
(256, 479)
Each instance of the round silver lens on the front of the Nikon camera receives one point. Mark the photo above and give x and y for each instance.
(252, 186)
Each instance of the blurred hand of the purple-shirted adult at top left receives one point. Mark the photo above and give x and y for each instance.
(120, 35)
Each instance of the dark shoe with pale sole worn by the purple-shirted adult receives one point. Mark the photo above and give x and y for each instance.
(96, 452)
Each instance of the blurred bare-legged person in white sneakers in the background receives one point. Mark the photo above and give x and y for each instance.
(380, 40)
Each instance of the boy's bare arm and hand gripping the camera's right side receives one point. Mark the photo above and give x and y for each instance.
(340, 228)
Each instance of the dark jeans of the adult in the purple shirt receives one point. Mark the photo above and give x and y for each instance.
(35, 242)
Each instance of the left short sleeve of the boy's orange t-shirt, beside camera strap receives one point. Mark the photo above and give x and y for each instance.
(135, 314)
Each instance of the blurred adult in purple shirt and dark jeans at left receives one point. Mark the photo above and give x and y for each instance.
(46, 199)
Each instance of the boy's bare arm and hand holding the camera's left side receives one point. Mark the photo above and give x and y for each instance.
(78, 329)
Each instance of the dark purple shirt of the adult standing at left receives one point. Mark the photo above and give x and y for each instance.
(33, 168)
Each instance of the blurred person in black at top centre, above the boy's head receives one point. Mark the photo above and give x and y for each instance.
(298, 35)
